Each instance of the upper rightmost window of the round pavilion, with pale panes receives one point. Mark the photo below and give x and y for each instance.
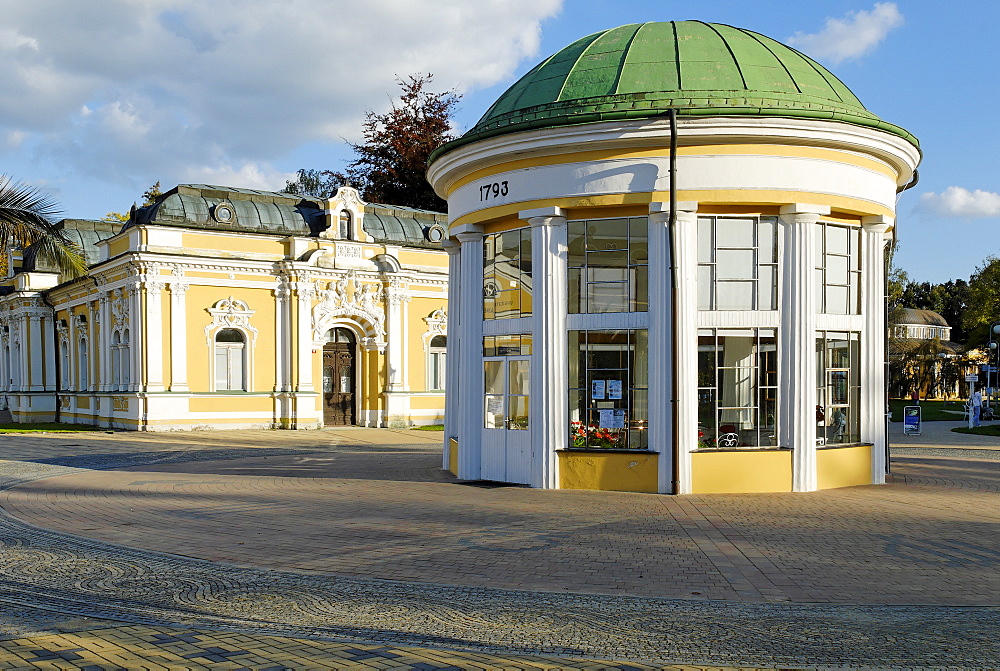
(838, 269)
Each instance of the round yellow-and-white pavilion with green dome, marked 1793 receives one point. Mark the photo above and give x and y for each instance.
(668, 269)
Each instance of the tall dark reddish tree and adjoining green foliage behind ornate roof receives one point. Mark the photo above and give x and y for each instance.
(391, 163)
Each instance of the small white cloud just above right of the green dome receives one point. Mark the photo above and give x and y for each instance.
(850, 37)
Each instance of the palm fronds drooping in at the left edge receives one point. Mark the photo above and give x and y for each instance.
(27, 221)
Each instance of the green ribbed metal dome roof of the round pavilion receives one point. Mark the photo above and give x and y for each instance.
(641, 70)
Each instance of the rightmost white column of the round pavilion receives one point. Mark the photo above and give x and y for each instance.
(873, 393)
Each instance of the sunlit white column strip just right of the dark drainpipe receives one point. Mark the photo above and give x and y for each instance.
(685, 330)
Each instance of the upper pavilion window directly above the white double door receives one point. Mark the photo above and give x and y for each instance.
(507, 274)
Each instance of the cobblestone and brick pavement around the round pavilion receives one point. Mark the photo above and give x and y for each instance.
(274, 534)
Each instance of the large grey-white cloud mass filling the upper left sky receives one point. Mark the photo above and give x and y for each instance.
(140, 90)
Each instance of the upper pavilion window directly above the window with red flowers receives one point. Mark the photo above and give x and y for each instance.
(608, 265)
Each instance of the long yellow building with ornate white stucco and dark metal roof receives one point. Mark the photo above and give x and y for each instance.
(219, 307)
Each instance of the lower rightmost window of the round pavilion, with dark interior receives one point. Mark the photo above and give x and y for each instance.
(838, 382)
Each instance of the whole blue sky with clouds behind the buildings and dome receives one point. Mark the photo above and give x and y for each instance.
(106, 97)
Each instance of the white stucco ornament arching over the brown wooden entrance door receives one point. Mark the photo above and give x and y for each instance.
(348, 298)
